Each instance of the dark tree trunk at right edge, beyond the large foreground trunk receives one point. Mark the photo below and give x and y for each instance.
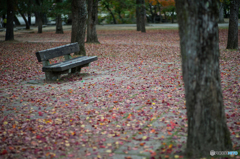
(233, 25)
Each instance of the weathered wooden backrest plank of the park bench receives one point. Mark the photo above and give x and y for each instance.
(45, 55)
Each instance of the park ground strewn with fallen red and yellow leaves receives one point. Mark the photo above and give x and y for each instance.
(128, 104)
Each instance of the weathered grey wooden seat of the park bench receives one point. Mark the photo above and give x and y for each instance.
(62, 66)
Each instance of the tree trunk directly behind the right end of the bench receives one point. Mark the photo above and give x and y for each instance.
(79, 15)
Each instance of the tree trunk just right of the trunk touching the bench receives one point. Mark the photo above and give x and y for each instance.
(92, 21)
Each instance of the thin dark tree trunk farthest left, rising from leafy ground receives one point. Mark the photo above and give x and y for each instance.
(10, 16)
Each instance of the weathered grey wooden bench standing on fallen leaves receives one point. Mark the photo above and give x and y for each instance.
(70, 65)
